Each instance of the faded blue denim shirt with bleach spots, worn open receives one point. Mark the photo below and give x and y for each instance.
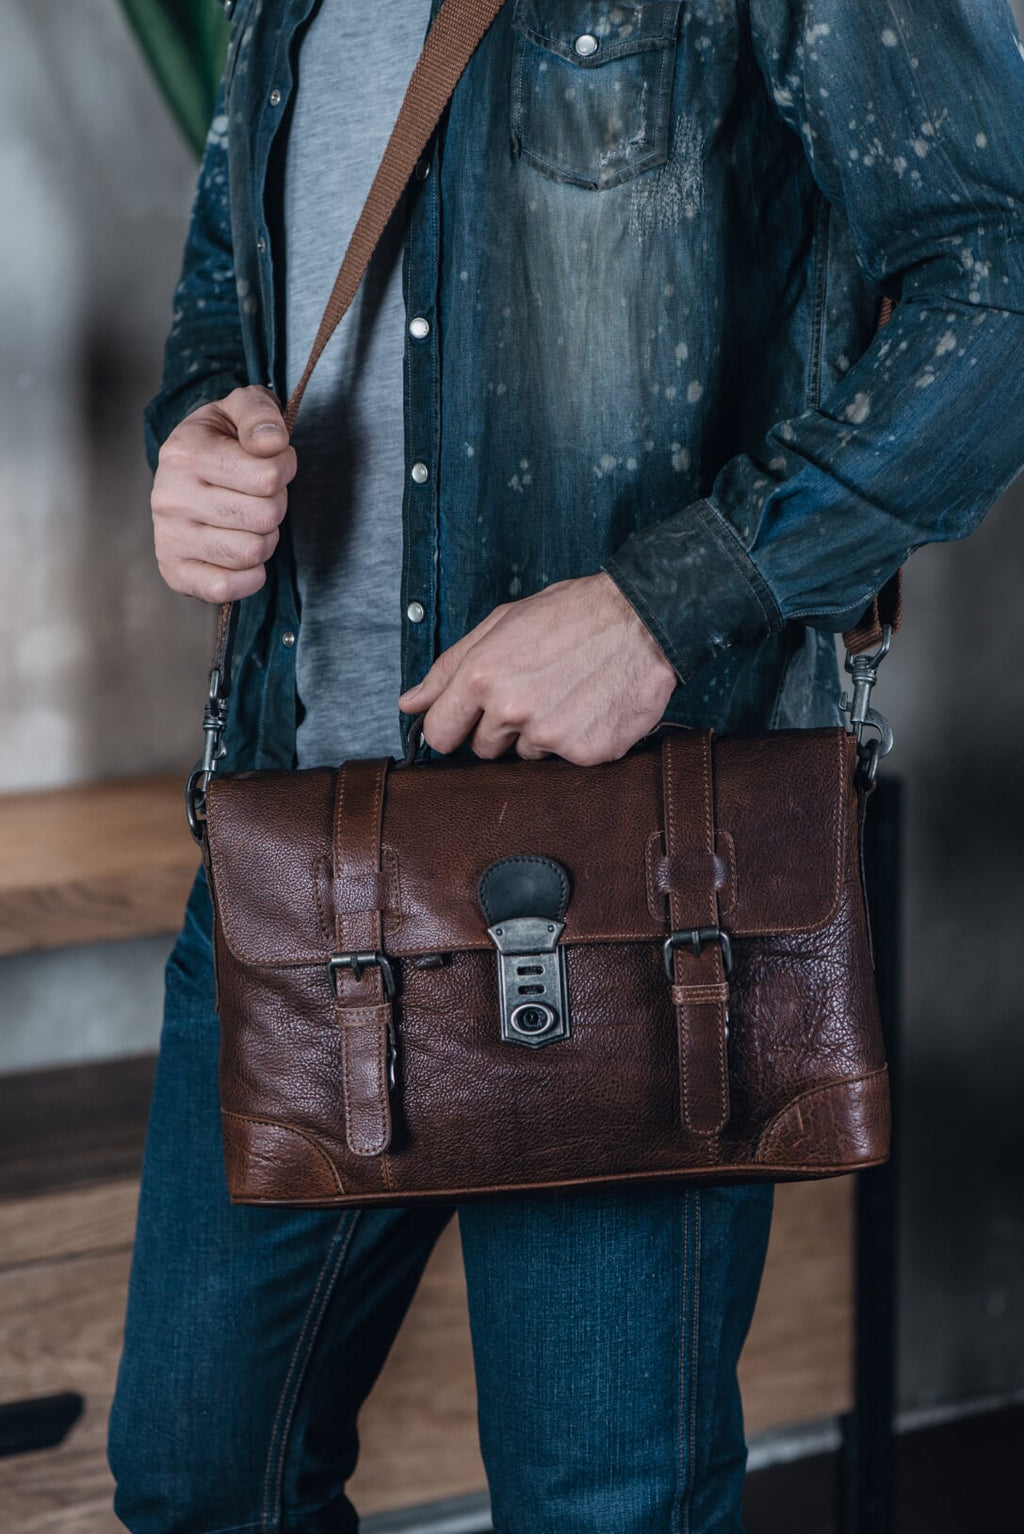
(651, 245)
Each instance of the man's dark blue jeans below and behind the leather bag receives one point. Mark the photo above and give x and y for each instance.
(606, 1334)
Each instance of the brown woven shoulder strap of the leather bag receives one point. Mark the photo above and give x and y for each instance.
(458, 31)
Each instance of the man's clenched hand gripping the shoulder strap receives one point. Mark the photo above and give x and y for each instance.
(220, 496)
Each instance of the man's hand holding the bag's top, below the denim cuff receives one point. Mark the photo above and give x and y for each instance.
(569, 673)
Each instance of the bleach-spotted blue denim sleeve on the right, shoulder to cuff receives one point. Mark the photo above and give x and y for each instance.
(911, 114)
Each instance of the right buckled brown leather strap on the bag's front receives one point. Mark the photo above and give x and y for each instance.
(698, 955)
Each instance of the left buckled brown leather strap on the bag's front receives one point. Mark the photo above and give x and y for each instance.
(359, 970)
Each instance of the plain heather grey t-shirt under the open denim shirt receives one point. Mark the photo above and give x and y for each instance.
(346, 502)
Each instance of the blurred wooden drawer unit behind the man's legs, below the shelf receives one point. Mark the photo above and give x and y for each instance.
(70, 1156)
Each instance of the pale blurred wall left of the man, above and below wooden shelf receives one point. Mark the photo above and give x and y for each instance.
(103, 668)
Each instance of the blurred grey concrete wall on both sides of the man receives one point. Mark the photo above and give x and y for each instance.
(105, 676)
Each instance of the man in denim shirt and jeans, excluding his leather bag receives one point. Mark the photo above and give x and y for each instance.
(606, 441)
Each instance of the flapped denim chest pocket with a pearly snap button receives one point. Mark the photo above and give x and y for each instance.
(592, 87)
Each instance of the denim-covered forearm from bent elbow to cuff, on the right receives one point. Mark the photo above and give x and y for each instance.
(910, 450)
